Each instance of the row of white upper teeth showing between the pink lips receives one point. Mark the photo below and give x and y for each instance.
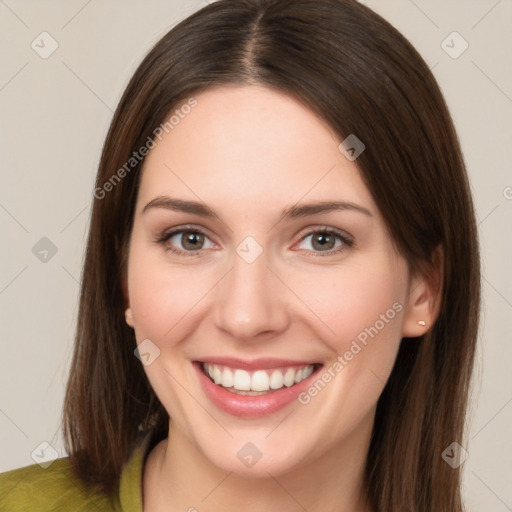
(260, 380)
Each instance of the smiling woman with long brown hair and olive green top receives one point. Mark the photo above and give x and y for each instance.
(280, 295)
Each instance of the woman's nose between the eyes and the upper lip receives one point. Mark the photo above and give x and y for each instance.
(251, 301)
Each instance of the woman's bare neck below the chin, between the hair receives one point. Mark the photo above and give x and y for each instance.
(177, 476)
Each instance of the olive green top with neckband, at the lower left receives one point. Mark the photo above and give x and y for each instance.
(57, 489)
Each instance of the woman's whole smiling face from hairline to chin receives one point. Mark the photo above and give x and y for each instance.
(231, 273)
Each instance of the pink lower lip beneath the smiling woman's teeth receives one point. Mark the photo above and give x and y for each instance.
(251, 406)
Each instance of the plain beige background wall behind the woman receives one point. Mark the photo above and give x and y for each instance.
(54, 116)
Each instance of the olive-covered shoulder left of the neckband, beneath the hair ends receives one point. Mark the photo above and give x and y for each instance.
(54, 488)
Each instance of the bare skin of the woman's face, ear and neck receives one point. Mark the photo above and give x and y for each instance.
(248, 152)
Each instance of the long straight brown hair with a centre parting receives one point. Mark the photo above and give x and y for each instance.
(359, 74)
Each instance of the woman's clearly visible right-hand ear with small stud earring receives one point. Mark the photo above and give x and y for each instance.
(425, 294)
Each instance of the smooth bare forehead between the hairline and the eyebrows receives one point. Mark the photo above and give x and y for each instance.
(252, 144)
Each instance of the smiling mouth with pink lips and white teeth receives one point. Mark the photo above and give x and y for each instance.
(258, 388)
